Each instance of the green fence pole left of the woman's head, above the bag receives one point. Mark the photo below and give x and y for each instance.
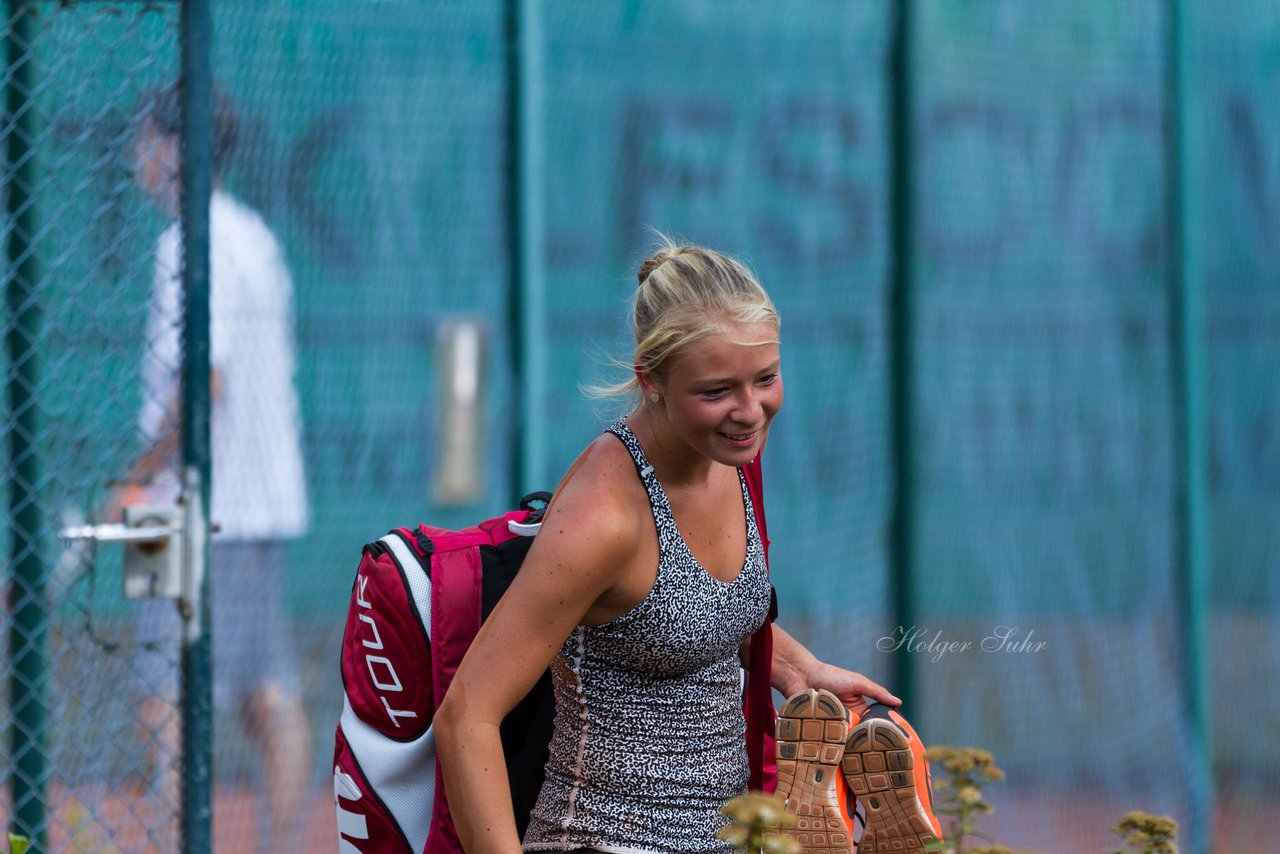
(528, 304)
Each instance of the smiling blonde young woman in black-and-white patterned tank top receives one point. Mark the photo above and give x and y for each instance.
(641, 593)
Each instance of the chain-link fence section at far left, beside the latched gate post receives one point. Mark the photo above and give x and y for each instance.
(84, 769)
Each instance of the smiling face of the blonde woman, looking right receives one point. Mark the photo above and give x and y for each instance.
(723, 392)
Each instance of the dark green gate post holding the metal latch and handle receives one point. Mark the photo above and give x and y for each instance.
(196, 645)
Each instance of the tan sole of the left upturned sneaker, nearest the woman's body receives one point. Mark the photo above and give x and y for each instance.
(811, 742)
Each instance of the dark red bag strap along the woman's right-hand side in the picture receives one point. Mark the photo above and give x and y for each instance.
(760, 684)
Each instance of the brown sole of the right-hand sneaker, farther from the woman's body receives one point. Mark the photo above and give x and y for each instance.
(880, 770)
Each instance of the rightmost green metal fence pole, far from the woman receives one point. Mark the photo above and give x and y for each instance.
(1191, 415)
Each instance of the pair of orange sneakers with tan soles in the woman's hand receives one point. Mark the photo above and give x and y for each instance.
(854, 786)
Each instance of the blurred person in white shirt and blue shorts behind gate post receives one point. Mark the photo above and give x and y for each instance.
(259, 497)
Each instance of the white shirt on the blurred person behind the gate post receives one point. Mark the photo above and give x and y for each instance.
(258, 487)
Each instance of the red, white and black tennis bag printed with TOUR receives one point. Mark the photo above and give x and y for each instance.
(419, 599)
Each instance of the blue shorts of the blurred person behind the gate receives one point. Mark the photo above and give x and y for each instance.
(252, 637)
